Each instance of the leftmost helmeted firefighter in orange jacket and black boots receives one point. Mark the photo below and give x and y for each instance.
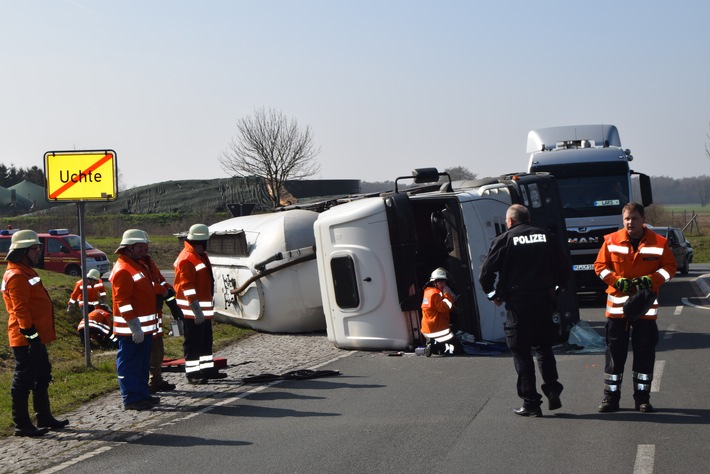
(30, 326)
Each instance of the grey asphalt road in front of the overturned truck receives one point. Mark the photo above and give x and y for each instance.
(416, 414)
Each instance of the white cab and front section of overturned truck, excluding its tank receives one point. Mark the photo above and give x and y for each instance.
(374, 256)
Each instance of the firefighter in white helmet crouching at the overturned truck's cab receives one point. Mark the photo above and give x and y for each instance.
(437, 303)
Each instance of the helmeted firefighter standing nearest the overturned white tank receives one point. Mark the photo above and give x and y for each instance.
(194, 284)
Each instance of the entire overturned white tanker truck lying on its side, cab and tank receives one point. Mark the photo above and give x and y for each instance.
(358, 269)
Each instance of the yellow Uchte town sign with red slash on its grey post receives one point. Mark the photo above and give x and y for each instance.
(81, 176)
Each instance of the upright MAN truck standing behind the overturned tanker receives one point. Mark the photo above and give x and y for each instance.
(595, 182)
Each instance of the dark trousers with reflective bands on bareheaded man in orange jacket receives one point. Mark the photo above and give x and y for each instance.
(644, 337)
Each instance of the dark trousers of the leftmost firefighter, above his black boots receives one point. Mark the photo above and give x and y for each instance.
(32, 369)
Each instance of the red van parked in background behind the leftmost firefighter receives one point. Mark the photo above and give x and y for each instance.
(62, 252)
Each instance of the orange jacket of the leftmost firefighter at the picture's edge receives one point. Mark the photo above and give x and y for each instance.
(28, 304)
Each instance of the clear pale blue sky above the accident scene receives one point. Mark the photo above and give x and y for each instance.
(386, 86)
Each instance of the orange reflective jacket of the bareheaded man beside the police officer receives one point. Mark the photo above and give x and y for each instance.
(617, 259)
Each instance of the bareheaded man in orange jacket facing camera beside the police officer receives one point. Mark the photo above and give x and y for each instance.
(634, 256)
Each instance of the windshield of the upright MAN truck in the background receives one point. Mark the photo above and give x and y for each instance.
(593, 195)
